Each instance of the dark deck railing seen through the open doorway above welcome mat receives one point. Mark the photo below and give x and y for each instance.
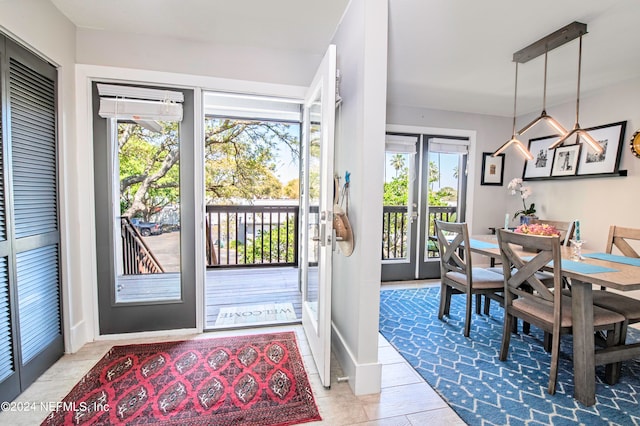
(239, 235)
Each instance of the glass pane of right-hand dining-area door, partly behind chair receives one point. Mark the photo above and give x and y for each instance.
(444, 181)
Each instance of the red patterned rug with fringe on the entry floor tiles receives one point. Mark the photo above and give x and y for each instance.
(245, 380)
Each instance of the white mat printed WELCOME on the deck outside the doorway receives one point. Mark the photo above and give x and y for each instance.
(256, 314)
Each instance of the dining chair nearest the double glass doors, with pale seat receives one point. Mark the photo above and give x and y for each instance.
(457, 274)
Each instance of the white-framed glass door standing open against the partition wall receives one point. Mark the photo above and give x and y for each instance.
(317, 212)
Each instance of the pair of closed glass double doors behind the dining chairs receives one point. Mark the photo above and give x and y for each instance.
(425, 180)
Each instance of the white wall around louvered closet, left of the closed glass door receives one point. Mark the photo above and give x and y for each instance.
(33, 23)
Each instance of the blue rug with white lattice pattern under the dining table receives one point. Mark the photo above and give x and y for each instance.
(483, 390)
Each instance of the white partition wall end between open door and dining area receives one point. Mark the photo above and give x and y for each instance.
(361, 42)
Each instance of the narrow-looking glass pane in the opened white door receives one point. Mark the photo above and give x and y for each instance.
(313, 219)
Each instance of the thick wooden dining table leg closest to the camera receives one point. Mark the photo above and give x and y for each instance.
(584, 369)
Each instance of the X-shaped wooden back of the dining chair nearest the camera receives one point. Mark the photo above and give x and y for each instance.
(520, 276)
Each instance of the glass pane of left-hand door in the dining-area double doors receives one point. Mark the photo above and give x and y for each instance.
(396, 221)
